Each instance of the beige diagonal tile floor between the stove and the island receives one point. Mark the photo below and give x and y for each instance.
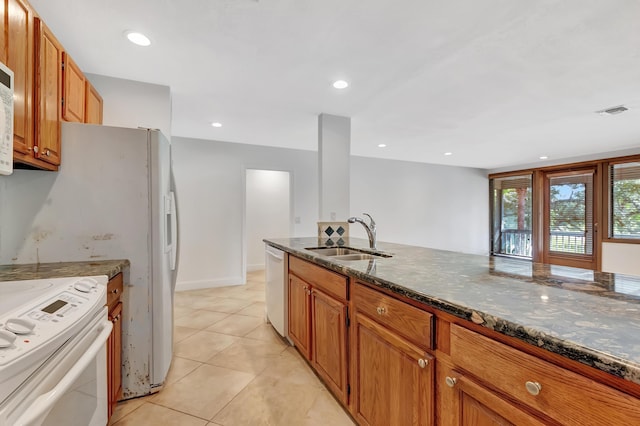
(231, 368)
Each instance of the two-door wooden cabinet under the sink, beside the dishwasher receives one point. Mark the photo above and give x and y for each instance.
(318, 322)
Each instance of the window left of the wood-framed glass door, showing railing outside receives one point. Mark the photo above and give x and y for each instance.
(511, 216)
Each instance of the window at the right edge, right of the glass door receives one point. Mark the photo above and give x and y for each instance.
(624, 207)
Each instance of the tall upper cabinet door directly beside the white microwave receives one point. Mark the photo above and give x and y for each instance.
(20, 48)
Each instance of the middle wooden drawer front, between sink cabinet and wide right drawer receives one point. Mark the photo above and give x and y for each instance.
(408, 321)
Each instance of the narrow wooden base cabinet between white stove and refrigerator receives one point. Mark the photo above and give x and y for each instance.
(114, 343)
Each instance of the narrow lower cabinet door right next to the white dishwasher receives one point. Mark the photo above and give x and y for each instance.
(300, 315)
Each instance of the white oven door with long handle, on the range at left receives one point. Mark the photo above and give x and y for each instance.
(70, 388)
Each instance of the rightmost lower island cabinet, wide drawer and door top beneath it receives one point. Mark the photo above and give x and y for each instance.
(488, 372)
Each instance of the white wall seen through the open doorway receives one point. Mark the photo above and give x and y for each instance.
(267, 212)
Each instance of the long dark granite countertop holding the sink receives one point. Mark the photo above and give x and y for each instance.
(591, 317)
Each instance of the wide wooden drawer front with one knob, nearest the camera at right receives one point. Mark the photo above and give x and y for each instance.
(565, 396)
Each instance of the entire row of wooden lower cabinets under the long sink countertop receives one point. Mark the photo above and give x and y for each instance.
(381, 363)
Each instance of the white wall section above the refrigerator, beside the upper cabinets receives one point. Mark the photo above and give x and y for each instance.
(134, 104)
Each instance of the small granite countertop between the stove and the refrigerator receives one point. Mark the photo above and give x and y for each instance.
(35, 271)
